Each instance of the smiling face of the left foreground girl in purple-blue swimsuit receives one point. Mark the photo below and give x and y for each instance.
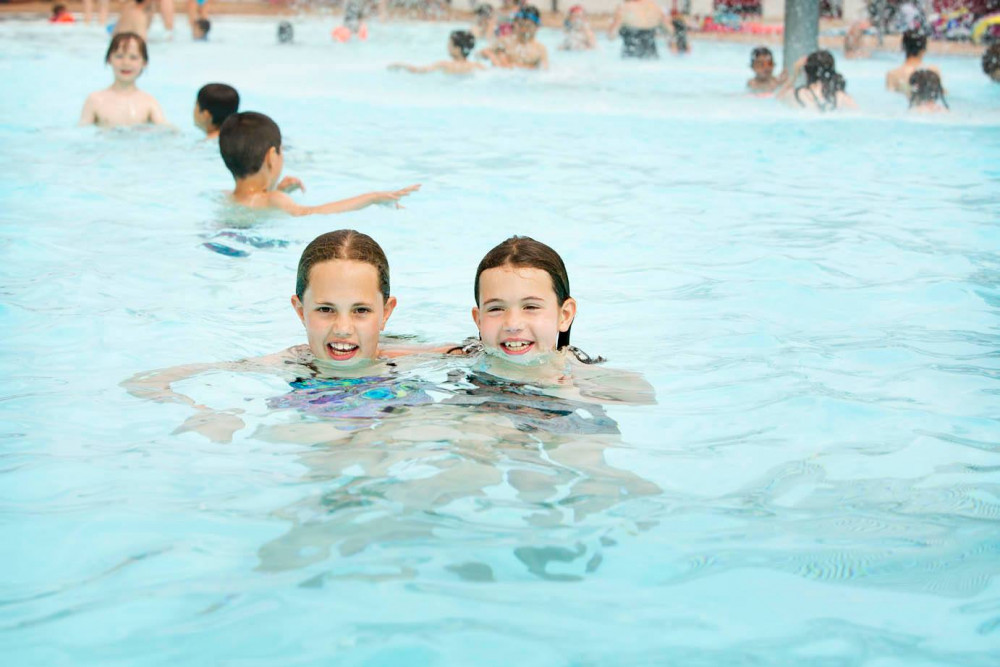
(343, 311)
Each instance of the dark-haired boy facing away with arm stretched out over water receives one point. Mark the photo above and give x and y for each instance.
(250, 144)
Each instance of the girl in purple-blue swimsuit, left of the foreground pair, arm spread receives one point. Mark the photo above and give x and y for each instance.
(342, 297)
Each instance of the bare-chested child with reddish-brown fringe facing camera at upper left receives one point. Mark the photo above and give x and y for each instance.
(123, 104)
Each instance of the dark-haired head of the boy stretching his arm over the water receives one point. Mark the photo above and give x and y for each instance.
(246, 141)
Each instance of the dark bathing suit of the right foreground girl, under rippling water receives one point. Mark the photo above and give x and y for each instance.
(531, 410)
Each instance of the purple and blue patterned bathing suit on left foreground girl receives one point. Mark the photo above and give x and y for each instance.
(362, 398)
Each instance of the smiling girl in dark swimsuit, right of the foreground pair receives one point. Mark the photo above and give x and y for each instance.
(524, 314)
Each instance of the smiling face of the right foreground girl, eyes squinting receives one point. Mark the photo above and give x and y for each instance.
(518, 315)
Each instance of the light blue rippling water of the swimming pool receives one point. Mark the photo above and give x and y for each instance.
(814, 299)
